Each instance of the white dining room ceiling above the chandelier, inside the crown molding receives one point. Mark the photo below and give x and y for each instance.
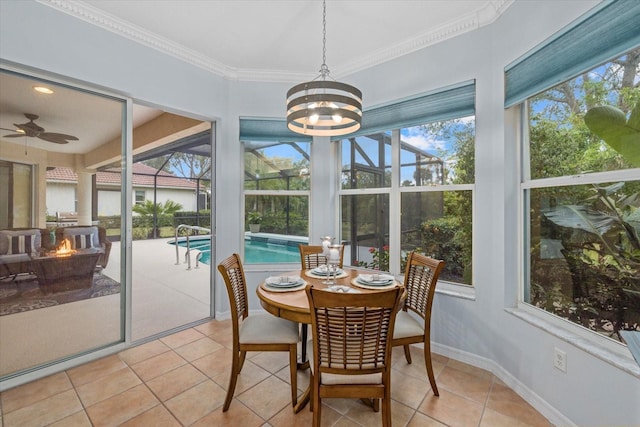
(282, 39)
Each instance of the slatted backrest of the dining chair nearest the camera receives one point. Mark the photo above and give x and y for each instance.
(352, 332)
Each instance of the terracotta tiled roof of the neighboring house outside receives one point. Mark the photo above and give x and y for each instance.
(143, 176)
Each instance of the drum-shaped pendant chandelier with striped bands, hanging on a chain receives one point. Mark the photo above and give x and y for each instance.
(323, 106)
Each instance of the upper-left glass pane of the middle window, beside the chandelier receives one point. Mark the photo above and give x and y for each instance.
(366, 161)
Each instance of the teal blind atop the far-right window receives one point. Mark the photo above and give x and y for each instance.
(607, 31)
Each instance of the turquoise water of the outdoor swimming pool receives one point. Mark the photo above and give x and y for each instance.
(255, 251)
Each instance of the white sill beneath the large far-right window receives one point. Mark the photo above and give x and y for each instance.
(621, 361)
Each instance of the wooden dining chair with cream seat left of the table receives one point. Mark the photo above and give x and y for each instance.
(261, 332)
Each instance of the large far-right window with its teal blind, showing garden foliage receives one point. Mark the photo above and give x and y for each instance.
(580, 186)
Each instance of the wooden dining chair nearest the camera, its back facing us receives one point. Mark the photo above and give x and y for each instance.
(351, 347)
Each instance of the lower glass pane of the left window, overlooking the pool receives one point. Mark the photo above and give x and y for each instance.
(275, 226)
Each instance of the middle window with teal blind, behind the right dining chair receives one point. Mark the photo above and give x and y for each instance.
(421, 198)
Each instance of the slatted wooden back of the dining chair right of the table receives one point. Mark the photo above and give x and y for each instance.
(421, 277)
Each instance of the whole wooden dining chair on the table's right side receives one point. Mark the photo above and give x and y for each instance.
(420, 279)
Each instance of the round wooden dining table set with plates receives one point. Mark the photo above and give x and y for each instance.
(293, 304)
